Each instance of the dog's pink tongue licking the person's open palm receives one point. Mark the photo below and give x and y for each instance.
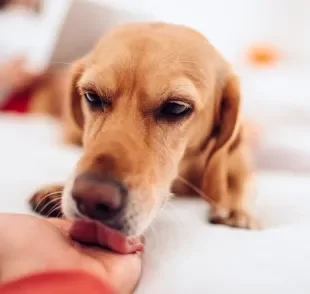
(94, 233)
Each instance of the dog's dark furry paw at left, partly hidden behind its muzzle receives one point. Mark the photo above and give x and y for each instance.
(47, 201)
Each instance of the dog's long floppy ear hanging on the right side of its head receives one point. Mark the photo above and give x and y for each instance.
(225, 137)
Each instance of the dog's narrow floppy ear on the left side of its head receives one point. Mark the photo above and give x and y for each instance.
(73, 116)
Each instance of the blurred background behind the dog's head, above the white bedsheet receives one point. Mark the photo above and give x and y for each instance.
(266, 41)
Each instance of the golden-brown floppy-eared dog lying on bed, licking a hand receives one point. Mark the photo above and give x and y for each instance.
(157, 110)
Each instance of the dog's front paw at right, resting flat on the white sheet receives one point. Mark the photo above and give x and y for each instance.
(233, 218)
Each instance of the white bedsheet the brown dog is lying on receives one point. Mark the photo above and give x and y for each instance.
(184, 254)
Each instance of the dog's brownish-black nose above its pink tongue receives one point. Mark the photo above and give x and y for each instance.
(99, 197)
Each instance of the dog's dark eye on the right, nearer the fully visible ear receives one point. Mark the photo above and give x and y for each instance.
(175, 109)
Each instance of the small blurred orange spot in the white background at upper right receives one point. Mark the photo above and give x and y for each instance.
(263, 54)
